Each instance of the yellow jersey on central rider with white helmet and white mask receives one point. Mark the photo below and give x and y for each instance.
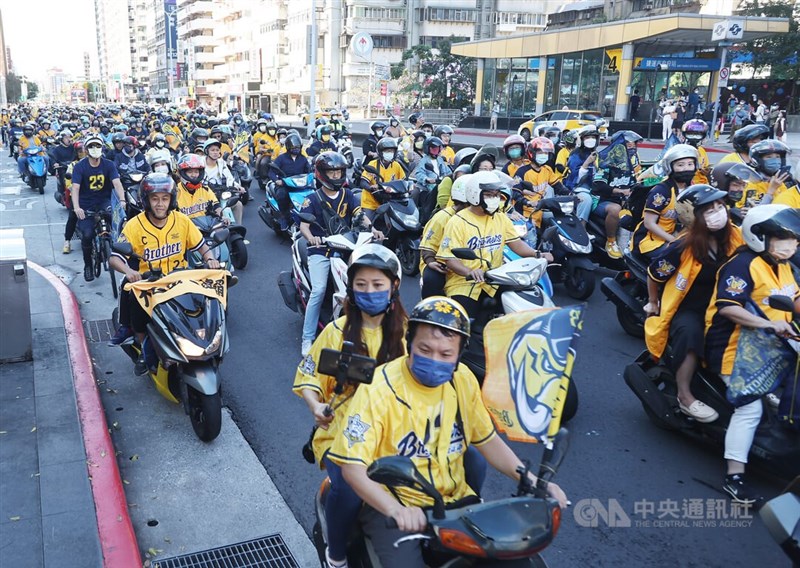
(486, 235)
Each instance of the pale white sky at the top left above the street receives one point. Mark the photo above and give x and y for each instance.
(59, 30)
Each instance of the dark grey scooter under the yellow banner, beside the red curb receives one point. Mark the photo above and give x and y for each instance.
(185, 344)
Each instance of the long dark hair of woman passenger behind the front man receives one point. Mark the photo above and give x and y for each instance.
(393, 326)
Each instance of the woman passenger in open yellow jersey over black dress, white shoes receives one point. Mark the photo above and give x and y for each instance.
(680, 284)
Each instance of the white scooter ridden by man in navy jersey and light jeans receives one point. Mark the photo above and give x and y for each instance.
(295, 285)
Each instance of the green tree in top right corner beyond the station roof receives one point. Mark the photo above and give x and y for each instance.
(780, 52)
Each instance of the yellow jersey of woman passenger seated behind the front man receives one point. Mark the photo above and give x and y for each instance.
(307, 377)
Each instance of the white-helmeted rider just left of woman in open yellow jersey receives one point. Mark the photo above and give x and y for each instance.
(660, 219)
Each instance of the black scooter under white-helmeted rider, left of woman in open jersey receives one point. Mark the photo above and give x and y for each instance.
(627, 289)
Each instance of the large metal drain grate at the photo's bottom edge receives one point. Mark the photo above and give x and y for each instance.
(265, 552)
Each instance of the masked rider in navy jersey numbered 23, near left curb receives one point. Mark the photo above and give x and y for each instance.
(92, 182)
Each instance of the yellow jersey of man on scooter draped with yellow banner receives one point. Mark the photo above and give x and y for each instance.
(165, 247)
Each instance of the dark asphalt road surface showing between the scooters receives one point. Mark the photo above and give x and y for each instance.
(638, 493)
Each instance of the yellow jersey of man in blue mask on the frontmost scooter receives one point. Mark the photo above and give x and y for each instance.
(396, 415)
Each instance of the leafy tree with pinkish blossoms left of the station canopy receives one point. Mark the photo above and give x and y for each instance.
(447, 79)
